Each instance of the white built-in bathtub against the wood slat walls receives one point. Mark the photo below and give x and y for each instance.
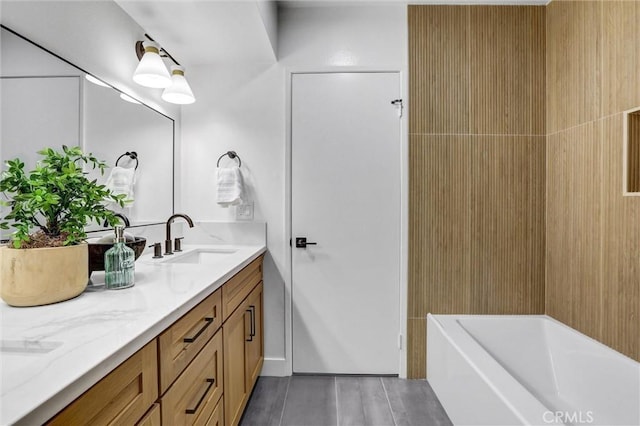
(528, 370)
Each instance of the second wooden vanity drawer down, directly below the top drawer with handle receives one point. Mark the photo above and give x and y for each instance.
(195, 394)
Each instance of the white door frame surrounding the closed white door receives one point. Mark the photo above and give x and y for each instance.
(404, 209)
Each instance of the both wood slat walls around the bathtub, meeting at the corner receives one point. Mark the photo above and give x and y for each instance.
(513, 107)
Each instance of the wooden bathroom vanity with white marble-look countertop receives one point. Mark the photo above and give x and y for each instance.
(183, 346)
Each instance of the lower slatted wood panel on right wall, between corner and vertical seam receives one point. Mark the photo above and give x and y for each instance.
(574, 236)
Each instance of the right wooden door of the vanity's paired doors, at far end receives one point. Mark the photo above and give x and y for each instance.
(255, 344)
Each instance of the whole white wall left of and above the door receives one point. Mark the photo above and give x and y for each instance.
(244, 108)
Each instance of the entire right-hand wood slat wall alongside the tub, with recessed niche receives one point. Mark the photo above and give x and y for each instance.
(593, 231)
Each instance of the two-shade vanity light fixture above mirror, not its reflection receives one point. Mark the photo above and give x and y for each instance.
(152, 72)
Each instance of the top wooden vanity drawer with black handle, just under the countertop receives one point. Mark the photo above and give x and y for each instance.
(181, 342)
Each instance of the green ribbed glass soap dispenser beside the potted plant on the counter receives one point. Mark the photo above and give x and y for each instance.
(119, 263)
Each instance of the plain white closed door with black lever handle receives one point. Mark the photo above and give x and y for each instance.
(346, 199)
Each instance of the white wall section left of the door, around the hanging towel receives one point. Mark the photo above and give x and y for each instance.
(242, 109)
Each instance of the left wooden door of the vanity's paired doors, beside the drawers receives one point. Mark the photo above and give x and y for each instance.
(236, 331)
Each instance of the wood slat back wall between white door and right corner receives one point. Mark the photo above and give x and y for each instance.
(477, 170)
